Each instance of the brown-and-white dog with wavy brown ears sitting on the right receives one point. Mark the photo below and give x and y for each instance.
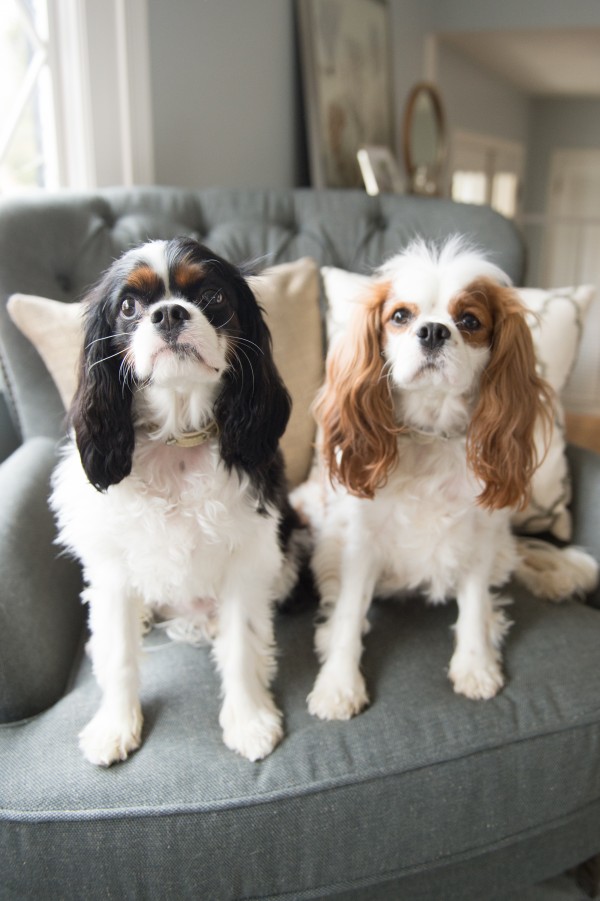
(427, 422)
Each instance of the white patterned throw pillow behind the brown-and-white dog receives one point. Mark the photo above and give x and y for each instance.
(556, 323)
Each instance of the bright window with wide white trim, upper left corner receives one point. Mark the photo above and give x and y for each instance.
(75, 107)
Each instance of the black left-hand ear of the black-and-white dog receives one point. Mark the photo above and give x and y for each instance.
(101, 411)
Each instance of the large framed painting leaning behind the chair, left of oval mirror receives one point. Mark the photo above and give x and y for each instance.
(346, 76)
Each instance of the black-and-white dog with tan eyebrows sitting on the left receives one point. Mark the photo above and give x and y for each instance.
(171, 491)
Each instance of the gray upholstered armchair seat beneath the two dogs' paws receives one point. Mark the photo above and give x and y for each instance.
(423, 779)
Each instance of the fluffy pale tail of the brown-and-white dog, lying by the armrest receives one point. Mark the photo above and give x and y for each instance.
(555, 574)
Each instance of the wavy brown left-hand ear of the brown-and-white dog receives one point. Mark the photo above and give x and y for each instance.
(354, 407)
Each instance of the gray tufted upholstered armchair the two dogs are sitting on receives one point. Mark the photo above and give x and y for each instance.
(426, 795)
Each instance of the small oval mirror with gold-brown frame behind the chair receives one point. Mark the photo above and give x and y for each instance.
(424, 140)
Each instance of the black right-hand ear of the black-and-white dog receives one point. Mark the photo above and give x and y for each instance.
(254, 406)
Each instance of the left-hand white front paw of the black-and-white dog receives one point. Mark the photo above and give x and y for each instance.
(107, 739)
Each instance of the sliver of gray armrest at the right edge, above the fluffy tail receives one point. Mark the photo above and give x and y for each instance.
(584, 466)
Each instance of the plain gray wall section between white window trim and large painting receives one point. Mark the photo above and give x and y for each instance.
(224, 93)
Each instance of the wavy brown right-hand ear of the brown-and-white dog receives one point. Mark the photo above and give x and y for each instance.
(512, 400)
